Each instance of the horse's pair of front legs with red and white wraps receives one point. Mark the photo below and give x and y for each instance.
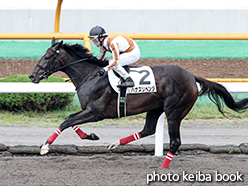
(74, 119)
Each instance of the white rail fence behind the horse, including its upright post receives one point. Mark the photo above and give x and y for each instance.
(237, 87)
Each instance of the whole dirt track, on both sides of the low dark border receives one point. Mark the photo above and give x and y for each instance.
(114, 169)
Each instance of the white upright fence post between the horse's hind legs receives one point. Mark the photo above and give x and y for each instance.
(159, 136)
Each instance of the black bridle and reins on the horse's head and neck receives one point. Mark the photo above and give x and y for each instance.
(50, 68)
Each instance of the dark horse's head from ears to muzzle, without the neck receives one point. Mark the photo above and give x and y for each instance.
(48, 63)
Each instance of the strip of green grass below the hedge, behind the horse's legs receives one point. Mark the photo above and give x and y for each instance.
(55, 118)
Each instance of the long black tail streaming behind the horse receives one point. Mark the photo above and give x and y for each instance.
(218, 93)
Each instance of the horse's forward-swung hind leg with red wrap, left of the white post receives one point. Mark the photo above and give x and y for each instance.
(149, 129)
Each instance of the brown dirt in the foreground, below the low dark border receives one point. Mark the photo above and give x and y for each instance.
(112, 169)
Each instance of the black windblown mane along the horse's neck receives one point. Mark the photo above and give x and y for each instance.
(80, 52)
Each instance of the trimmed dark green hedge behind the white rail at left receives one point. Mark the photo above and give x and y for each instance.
(33, 101)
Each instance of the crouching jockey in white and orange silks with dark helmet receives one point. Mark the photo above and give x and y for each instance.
(124, 51)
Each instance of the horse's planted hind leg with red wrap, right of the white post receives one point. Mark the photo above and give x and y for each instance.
(175, 113)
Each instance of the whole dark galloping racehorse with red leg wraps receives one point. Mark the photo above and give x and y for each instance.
(176, 94)
